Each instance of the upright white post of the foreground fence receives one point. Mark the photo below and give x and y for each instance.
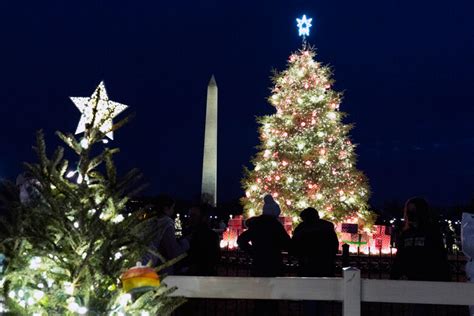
(351, 292)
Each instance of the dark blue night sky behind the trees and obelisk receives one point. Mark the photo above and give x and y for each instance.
(406, 68)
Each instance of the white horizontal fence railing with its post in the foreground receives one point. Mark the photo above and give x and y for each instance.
(351, 290)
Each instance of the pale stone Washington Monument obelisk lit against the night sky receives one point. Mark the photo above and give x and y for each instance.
(209, 165)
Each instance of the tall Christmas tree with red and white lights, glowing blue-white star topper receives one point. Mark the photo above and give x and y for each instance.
(306, 157)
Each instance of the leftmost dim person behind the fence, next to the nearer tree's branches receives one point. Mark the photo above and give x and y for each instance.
(160, 229)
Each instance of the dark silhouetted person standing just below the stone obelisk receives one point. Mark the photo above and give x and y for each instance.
(204, 251)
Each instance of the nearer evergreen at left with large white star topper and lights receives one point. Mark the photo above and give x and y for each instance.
(68, 236)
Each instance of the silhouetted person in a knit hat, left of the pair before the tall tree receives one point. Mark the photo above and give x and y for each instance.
(264, 240)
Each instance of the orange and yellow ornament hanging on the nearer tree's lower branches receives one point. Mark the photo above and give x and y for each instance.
(139, 278)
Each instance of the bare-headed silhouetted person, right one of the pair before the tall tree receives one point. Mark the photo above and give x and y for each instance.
(315, 245)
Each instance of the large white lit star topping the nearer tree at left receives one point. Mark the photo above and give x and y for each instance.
(105, 110)
